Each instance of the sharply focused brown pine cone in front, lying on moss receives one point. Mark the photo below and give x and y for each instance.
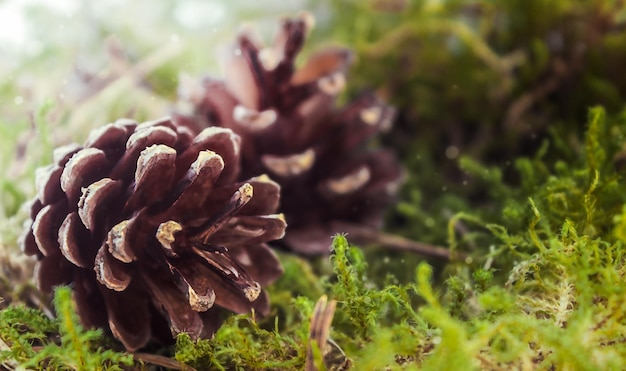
(152, 229)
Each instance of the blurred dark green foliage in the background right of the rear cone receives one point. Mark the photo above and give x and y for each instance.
(483, 82)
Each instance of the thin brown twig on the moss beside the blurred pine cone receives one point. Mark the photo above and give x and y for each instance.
(372, 235)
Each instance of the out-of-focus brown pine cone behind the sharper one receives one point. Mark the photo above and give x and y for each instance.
(291, 130)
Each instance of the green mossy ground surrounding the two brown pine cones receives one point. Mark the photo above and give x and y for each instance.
(512, 129)
